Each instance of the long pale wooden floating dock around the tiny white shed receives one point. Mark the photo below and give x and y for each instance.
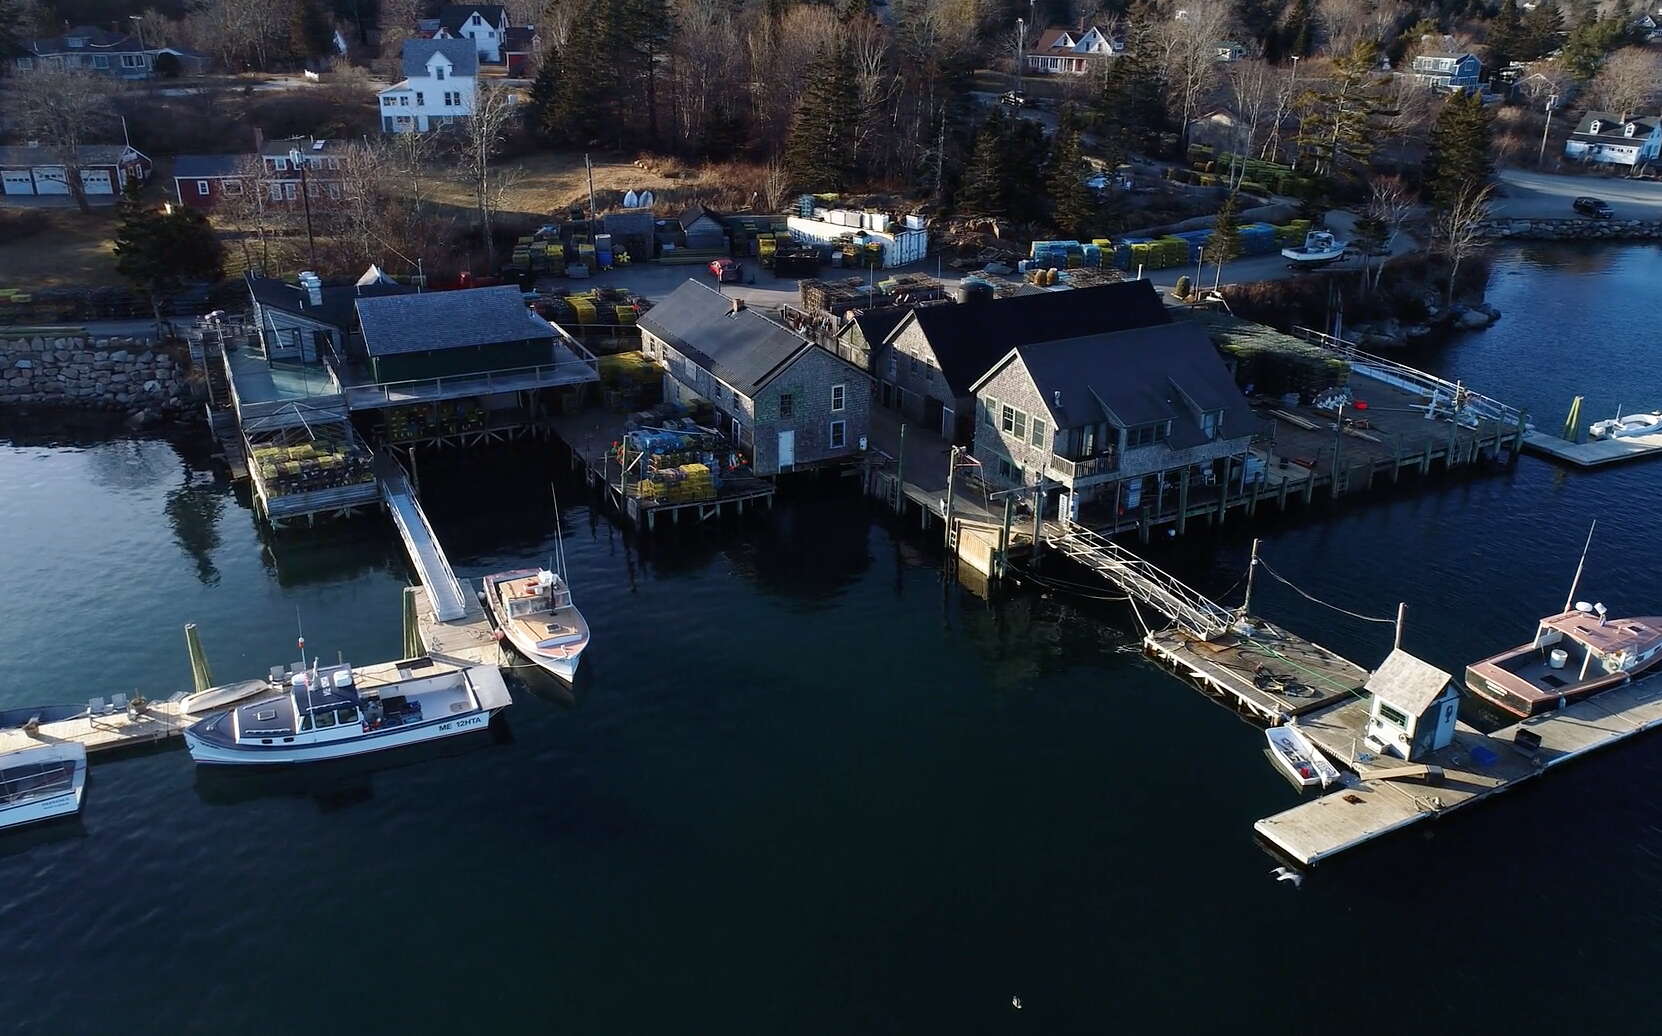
(1473, 769)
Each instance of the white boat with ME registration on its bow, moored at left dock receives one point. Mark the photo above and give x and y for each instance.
(337, 713)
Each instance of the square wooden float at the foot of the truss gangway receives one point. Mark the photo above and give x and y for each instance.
(1272, 676)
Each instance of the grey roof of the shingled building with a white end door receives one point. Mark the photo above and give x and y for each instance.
(745, 348)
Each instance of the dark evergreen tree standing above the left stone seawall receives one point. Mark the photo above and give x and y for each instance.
(160, 252)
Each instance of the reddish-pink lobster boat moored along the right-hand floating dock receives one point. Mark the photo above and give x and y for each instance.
(1573, 654)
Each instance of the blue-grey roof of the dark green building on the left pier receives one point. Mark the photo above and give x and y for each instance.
(448, 320)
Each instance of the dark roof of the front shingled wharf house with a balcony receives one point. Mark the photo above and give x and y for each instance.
(1139, 377)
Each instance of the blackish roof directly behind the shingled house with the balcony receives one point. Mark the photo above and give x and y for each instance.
(968, 338)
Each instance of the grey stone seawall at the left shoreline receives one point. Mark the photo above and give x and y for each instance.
(94, 373)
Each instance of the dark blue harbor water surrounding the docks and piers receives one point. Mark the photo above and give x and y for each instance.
(805, 787)
